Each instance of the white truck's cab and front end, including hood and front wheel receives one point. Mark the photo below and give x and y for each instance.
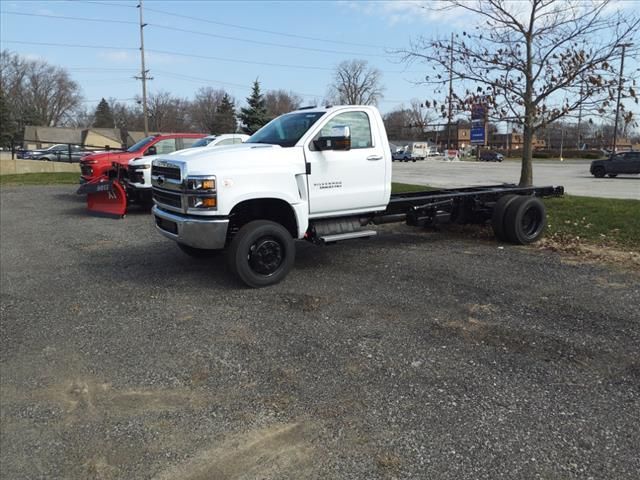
(311, 172)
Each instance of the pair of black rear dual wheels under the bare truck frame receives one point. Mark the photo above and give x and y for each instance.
(519, 219)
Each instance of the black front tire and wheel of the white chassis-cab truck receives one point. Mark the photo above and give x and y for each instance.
(261, 253)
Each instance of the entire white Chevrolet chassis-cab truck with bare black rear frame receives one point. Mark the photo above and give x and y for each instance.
(318, 174)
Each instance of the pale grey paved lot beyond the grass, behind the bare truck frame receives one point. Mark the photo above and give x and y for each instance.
(572, 174)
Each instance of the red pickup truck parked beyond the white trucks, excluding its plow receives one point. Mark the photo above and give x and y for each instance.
(97, 164)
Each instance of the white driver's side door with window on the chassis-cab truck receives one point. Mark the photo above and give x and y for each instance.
(346, 180)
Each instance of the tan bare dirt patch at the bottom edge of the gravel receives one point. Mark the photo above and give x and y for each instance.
(276, 451)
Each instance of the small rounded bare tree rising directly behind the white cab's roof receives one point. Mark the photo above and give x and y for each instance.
(356, 83)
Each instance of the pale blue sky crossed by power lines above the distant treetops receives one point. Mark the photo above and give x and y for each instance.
(332, 31)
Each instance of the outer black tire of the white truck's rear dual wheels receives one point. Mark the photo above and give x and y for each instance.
(525, 220)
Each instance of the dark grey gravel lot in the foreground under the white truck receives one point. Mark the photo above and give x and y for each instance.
(412, 355)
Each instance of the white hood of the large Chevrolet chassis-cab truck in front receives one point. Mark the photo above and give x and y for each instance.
(232, 159)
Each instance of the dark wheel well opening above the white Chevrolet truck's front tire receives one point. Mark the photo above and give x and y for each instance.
(272, 209)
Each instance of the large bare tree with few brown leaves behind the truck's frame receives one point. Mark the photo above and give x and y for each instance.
(533, 62)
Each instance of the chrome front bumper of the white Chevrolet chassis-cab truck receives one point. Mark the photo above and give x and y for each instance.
(203, 233)
